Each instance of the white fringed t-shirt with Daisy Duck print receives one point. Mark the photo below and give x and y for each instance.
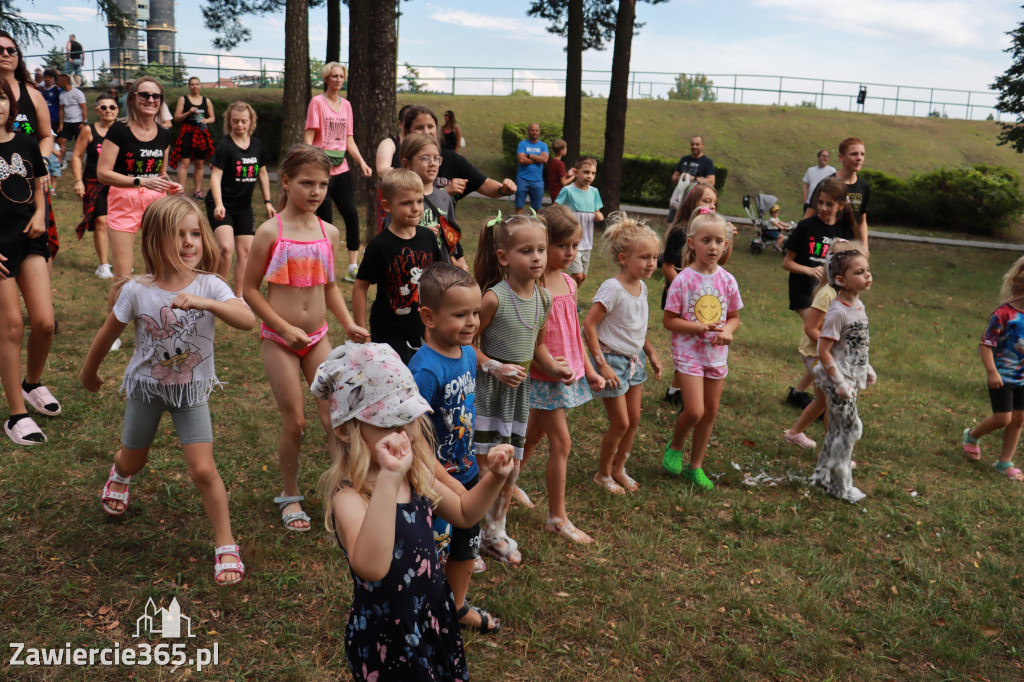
(174, 358)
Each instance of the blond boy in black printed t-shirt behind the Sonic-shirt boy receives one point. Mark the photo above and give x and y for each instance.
(395, 261)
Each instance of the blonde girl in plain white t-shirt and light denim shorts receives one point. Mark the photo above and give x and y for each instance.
(616, 330)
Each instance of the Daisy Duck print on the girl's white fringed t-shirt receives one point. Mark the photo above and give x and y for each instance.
(174, 342)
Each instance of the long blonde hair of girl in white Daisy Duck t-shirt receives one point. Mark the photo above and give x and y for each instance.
(160, 238)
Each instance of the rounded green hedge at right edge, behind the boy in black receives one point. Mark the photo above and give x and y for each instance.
(979, 199)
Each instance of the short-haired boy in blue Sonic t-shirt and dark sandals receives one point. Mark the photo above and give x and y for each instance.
(445, 369)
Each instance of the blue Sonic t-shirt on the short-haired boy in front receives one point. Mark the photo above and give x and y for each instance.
(449, 385)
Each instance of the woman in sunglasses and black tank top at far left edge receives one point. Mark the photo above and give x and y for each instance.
(33, 118)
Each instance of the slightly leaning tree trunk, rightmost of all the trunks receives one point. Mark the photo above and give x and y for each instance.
(615, 126)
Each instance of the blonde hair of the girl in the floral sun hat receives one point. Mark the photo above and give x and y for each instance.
(353, 466)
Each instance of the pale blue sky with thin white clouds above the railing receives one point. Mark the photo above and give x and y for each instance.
(918, 46)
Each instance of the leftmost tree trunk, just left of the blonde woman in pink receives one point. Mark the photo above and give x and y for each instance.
(296, 98)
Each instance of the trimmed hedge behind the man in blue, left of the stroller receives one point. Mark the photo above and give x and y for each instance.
(647, 181)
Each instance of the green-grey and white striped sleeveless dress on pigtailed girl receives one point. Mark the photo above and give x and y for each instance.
(502, 413)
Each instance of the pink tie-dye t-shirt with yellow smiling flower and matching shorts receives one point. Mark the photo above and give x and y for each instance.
(707, 300)
